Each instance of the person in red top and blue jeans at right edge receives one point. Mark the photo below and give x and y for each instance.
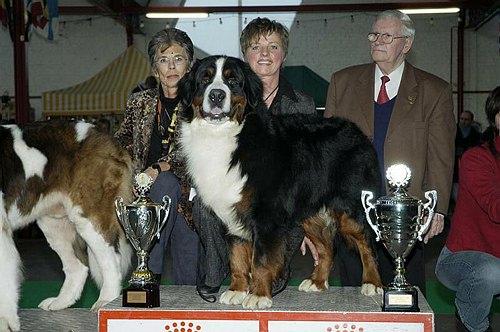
(469, 263)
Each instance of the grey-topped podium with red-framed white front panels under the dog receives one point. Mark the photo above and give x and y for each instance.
(340, 309)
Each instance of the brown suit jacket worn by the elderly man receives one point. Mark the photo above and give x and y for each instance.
(421, 130)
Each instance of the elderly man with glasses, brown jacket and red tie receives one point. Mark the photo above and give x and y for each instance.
(408, 114)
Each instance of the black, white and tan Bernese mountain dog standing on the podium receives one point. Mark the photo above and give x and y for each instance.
(263, 175)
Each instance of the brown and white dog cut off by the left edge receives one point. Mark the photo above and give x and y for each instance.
(65, 176)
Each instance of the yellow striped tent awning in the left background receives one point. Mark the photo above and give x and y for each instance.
(107, 92)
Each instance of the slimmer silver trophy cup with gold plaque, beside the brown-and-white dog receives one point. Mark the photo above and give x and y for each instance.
(142, 221)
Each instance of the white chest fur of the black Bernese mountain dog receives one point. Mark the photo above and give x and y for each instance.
(208, 149)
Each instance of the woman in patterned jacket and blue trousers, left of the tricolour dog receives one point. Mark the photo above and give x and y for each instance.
(149, 133)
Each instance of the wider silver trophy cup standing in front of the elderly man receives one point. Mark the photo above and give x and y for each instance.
(399, 224)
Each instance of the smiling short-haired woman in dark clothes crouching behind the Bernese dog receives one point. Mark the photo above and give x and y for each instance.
(264, 44)
